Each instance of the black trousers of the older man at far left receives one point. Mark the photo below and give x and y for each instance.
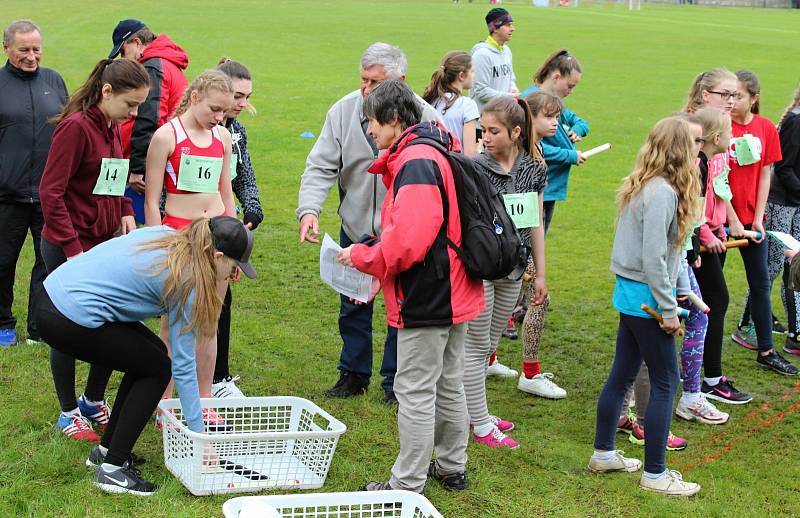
(16, 220)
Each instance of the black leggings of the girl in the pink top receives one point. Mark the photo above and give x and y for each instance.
(711, 281)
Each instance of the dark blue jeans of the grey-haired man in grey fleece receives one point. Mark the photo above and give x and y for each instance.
(355, 327)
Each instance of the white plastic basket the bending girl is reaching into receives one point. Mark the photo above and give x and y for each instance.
(265, 443)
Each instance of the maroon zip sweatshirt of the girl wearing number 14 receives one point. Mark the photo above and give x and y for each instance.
(74, 218)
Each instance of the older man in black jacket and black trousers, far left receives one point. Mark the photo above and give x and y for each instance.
(31, 95)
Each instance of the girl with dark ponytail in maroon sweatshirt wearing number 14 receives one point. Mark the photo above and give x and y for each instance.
(82, 200)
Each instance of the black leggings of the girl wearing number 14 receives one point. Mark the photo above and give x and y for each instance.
(63, 365)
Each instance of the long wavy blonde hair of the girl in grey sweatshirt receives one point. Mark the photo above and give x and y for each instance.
(669, 153)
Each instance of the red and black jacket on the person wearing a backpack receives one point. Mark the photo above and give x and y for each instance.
(424, 281)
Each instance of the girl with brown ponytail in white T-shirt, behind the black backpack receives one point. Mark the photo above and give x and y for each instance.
(445, 93)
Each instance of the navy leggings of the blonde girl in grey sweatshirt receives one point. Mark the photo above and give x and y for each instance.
(640, 339)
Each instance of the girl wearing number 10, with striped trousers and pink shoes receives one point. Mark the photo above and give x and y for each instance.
(512, 160)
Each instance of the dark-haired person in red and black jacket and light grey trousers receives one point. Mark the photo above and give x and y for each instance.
(428, 295)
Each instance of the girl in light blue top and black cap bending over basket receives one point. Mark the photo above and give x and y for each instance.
(93, 308)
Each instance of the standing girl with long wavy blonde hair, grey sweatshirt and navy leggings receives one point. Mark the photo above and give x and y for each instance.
(656, 213)
